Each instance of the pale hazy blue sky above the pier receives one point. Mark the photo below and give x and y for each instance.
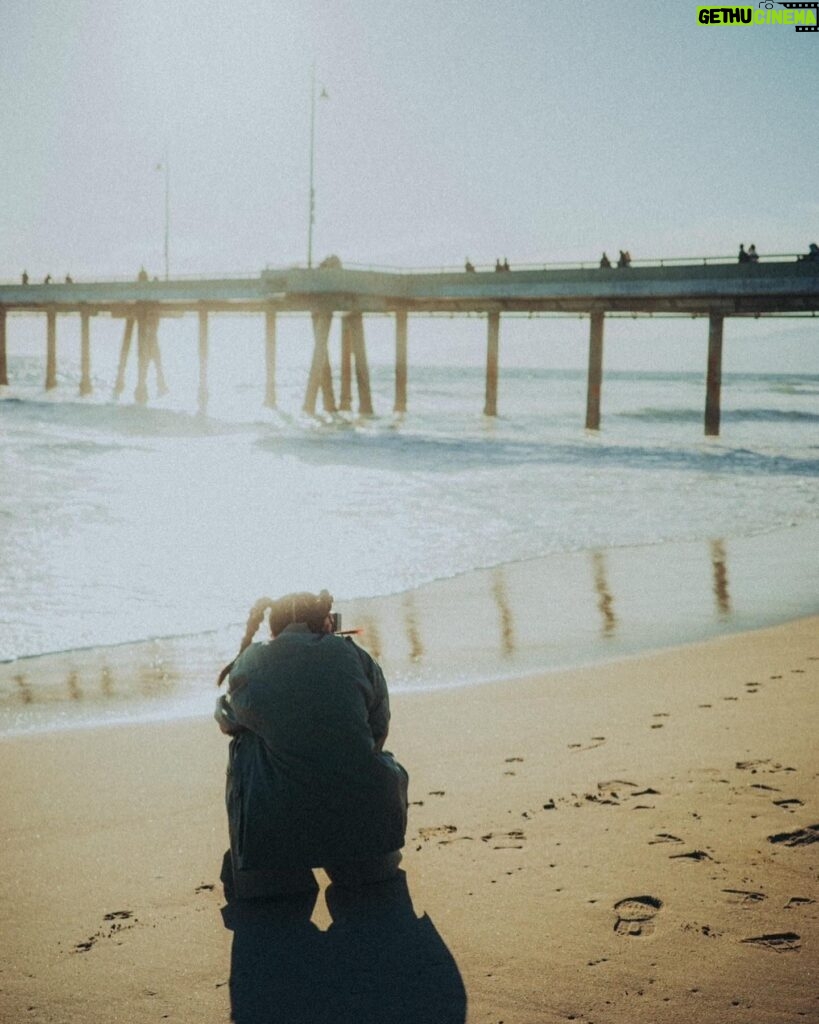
(537, 131)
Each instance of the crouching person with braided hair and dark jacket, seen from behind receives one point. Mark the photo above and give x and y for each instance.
(310, 784)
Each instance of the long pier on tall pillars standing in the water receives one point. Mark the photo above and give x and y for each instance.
(714, 290)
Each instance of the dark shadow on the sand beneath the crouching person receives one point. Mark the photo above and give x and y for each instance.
(376, 963)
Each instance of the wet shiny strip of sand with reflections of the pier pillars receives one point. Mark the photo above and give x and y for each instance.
(551, 614)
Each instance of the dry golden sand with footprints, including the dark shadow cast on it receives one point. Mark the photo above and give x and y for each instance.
(628, 841)
